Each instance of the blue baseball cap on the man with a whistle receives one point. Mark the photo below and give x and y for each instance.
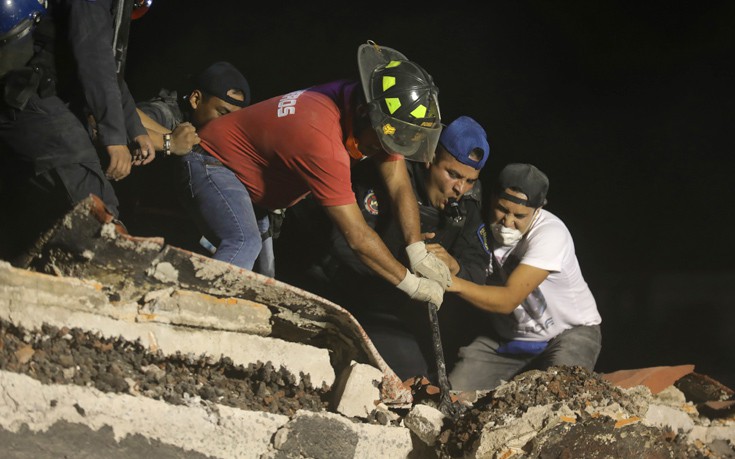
(461, 137)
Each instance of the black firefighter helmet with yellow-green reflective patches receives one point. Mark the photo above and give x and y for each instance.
(403, 102)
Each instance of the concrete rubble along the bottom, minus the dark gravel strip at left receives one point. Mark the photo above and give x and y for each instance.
(87, 274)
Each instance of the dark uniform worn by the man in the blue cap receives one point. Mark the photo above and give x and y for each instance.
(318, 259)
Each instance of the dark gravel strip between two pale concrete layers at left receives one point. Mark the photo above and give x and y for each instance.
(73, 356)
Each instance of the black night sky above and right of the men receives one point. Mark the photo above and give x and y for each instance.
(627, 106)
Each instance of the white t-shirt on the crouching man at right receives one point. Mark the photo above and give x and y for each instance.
(563, 300)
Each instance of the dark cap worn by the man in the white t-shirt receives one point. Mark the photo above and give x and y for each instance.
(527, 179)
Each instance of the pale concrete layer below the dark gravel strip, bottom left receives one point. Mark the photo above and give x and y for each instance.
(211, 430)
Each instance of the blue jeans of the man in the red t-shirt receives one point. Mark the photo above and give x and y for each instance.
(223, 211)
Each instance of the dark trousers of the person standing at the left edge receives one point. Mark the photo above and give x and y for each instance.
(47, 164)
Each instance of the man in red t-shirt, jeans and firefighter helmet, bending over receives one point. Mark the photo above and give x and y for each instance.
(283, 148)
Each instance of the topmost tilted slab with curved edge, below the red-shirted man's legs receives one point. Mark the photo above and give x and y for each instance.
(85, 244)
